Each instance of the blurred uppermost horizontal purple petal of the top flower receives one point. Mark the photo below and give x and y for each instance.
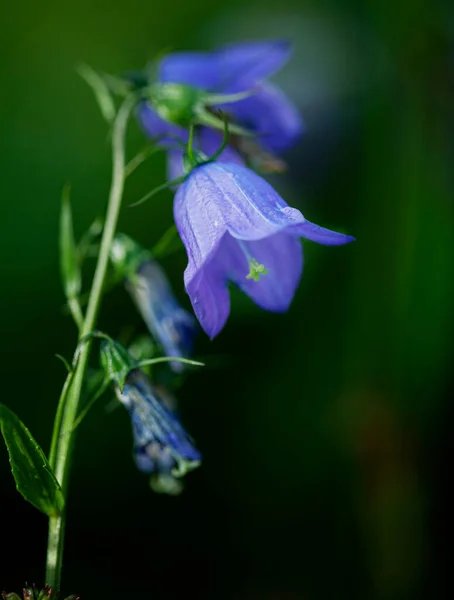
(234, 67)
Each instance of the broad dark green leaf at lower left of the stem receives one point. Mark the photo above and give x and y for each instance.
(34, 477)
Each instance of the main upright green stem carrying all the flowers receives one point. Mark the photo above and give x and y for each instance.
(62, 438)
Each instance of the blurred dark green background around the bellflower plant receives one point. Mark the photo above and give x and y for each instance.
(326, 434)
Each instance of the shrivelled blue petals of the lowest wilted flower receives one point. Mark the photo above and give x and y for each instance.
(161, 445)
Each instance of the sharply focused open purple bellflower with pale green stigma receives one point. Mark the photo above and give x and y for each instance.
(236, 228)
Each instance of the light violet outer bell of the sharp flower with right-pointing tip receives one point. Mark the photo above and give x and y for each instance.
(220, 197)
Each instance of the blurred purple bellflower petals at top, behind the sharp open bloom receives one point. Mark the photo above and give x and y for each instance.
(235, 68)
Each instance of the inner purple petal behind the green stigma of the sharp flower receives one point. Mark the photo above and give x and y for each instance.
(282, 256)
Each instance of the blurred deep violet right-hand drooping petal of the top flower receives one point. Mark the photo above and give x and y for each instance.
(271, 115)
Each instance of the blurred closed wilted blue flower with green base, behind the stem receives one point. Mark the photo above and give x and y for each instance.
(169, 324)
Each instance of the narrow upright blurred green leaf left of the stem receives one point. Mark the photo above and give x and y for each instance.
(69, 264)
